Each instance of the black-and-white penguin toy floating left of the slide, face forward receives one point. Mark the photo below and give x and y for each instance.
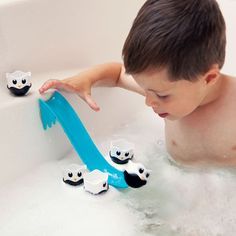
(74, 174)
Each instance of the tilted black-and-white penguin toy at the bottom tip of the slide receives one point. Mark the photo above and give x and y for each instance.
(136, 175)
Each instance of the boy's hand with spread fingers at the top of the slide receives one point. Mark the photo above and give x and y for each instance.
(68, 85)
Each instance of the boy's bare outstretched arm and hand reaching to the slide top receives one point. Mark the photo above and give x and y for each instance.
(108, 75)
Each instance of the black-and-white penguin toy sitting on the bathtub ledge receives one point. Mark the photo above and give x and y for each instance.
(18, 82)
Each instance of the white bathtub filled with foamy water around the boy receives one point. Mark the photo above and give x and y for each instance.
(56, 39)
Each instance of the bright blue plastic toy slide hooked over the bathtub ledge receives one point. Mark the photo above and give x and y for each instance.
(58, 109)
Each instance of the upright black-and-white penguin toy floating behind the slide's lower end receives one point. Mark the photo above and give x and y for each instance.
(121, 151)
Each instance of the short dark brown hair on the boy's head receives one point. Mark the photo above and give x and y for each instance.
(185, 36)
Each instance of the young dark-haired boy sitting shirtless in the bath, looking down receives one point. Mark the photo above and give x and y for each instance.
(173, 56)
